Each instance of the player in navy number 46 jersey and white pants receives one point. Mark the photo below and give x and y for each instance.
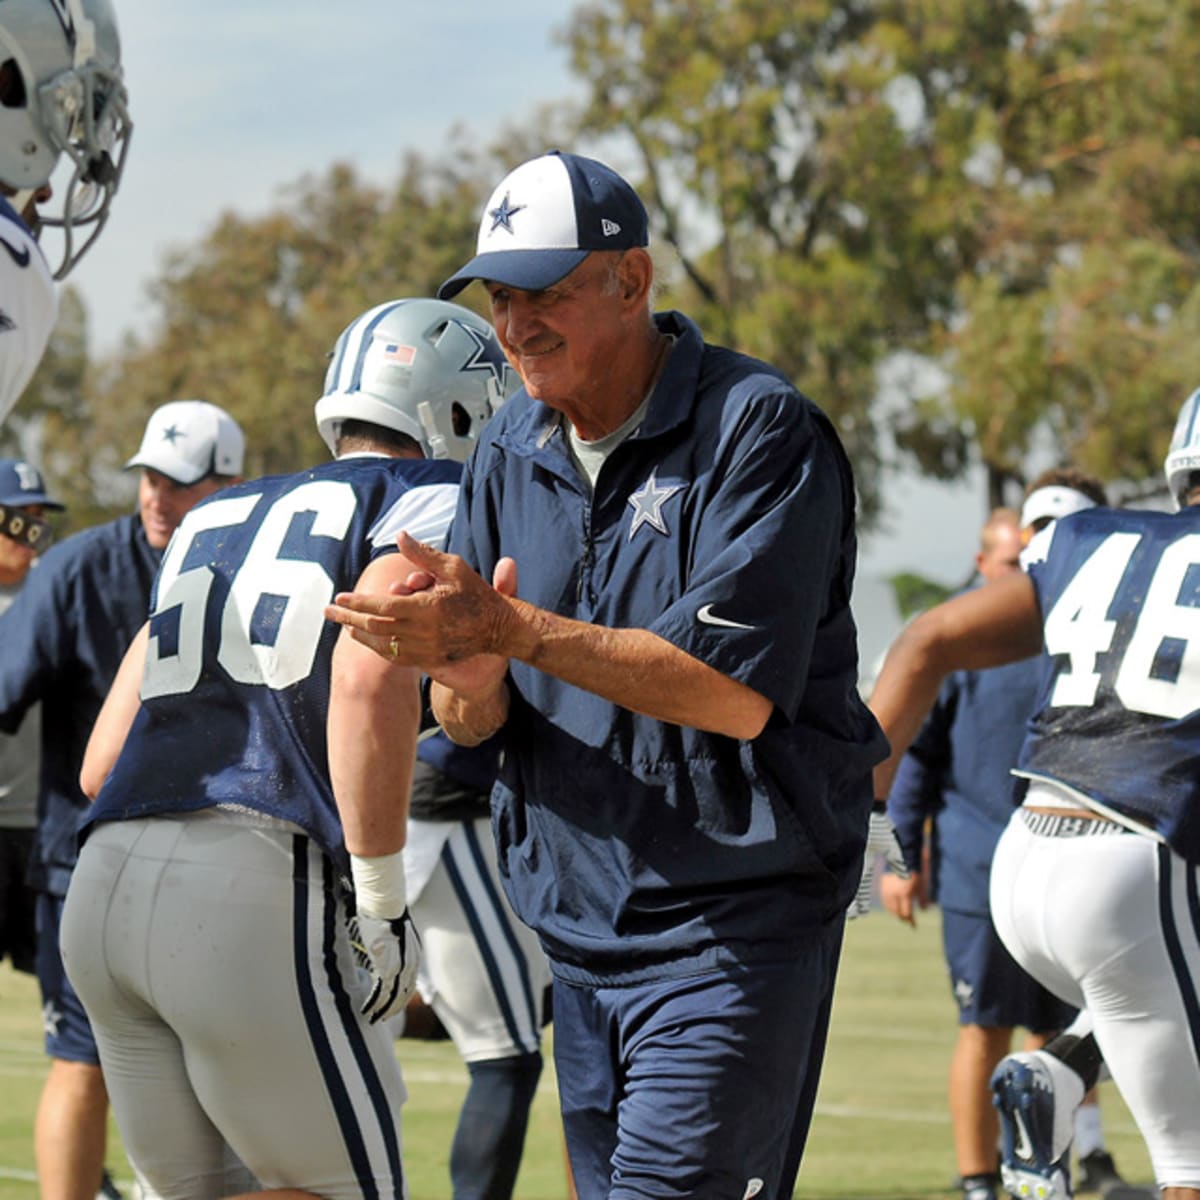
(1095, 881)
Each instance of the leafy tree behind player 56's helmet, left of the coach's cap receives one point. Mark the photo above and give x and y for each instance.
(249, 315)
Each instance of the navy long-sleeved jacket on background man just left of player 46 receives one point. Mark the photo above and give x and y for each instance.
(958, 771)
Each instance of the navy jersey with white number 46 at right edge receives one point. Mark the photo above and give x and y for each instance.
(1119, 715)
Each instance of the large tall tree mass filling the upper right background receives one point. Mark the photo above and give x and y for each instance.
(844, 181)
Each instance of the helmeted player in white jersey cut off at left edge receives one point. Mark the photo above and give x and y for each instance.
(61, 95)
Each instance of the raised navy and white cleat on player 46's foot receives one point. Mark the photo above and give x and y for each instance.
(1023, 1091)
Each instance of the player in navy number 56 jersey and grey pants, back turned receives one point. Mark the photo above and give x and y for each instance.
(267, 761)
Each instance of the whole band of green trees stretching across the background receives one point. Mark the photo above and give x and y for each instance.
(998, 189)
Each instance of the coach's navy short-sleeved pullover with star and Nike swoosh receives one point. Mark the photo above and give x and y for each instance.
(725, 525)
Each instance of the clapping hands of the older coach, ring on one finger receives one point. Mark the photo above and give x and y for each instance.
(445, 620)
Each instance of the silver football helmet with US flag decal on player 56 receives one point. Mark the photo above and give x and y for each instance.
(427, 368)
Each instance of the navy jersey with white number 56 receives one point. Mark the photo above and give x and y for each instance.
(236, 689)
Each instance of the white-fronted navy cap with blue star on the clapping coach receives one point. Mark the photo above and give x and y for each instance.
(545, 218)
